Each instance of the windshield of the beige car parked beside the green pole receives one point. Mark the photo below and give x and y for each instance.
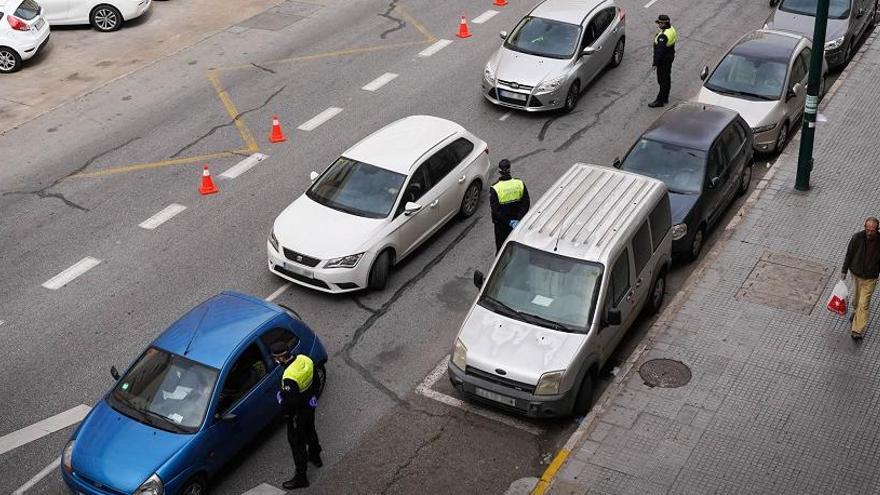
(748, 77)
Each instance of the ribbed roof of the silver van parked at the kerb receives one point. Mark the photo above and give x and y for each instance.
(589, 211)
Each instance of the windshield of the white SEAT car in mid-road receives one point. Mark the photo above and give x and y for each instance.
(357, 188)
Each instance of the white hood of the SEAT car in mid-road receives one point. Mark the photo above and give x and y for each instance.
(315, 230)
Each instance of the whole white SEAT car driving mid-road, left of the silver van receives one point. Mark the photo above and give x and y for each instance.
(376, 203)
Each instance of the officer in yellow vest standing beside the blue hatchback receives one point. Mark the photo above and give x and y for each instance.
(298, 398)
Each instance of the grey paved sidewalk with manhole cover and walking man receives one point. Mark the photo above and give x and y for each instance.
(781, 400)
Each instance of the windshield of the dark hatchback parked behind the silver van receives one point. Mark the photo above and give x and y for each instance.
(681, 169)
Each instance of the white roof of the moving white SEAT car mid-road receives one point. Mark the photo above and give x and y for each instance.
(400, 144)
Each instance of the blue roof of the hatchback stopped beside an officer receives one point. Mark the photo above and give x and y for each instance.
(212, 331)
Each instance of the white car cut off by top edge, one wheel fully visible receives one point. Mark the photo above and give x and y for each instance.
(103, 15)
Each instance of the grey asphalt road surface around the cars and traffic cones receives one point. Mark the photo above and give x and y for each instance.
(77, 181)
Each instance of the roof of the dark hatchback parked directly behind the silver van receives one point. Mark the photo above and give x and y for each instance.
(691, 125)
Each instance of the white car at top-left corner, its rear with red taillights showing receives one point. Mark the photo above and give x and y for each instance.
(23, 33)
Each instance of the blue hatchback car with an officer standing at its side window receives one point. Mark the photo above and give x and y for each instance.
(200, 392)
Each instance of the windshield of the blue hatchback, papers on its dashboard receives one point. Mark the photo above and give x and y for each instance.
(166, 391)
